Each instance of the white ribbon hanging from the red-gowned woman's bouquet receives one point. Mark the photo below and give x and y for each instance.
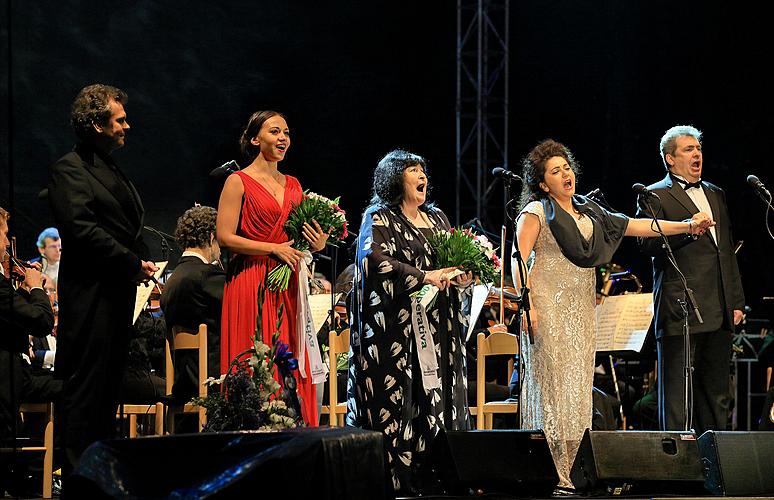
(307, 337)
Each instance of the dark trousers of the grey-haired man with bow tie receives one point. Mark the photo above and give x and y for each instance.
(710, 357)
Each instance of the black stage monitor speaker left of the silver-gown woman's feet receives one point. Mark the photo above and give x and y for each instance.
(496, 461)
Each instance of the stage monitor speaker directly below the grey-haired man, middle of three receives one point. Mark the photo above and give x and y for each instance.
(638, 462)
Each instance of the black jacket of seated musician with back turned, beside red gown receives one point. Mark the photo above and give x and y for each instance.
(192, 295)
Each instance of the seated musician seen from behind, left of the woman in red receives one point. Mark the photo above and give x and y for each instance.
(194, 295)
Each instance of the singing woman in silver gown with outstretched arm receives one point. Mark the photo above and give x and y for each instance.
(569, 235)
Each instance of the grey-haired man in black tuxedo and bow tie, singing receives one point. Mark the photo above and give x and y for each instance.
(710, 268)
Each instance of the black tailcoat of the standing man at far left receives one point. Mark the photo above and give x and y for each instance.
(99, 213)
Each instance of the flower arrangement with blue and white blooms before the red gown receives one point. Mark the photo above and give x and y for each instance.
(249, 397)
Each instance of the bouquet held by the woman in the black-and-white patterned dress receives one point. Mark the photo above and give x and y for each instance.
(468, 251)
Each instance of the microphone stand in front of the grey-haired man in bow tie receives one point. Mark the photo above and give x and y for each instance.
(688, 300)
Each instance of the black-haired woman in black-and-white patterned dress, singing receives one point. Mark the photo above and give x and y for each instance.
(387, 390)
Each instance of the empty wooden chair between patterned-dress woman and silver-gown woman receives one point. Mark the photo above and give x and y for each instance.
(490, 345)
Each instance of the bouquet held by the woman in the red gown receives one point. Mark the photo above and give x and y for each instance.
(331, 218)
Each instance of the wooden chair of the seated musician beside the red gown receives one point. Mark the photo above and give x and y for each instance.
(184, 339)
